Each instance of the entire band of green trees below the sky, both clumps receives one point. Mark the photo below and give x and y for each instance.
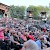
(19, 11)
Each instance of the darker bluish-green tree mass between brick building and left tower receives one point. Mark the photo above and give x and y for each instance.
(17, 12)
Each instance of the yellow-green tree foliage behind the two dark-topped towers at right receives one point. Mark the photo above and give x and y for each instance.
(37, 9)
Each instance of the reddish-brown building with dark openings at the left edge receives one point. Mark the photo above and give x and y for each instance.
(4, 10)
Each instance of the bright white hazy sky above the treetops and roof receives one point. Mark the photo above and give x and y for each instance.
(26, 2)
